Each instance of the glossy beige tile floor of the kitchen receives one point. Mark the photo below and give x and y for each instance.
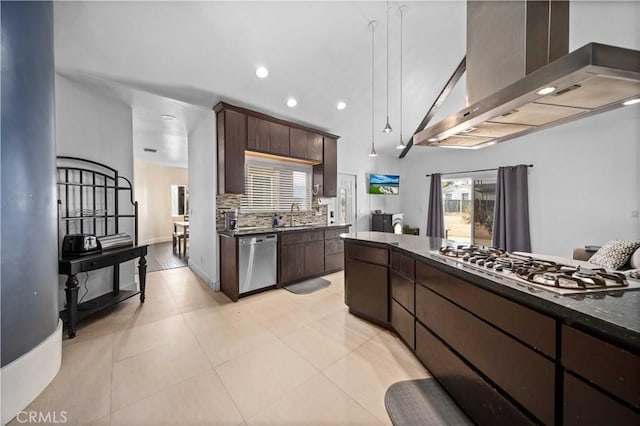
(189, 356)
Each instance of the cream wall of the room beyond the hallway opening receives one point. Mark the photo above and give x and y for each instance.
(152, 183)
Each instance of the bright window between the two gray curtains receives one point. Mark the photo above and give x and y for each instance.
(468, 209)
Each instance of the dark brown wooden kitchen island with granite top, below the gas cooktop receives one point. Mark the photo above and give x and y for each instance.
(507, 352)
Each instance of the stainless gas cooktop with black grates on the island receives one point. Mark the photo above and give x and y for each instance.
(541, 273)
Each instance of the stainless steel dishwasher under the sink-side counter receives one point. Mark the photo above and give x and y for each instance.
(258, 262)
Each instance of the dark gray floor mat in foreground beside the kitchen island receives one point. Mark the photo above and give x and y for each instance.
(422, 402)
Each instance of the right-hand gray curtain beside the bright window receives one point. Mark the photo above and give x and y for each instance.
(511, 215)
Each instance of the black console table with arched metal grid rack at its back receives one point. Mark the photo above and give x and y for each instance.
(90, 204)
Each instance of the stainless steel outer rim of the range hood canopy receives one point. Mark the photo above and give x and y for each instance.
(591, 60)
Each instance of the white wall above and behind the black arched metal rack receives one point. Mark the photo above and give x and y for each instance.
(93, 124)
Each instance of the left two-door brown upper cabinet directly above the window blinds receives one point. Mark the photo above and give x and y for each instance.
(267, 137)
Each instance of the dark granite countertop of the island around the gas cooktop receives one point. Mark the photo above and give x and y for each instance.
(614, 315)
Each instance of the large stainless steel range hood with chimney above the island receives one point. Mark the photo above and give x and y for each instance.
(513, 91)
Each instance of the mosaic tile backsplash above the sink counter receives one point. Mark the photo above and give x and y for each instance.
(317, 216)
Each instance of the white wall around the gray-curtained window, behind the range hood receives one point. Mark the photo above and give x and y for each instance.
(585, 182)
